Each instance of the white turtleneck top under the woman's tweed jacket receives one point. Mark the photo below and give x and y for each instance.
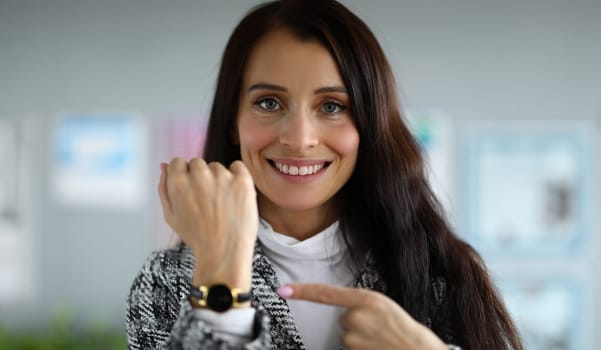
(322, 258)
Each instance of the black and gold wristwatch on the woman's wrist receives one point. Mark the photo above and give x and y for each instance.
(218, 297)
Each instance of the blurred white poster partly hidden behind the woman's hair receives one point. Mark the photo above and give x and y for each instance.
(433, 129)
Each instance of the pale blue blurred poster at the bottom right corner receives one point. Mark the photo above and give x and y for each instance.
(549, 312)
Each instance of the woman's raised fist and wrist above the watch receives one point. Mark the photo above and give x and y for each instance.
(214, 211)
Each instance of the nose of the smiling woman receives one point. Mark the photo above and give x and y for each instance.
(299, 130)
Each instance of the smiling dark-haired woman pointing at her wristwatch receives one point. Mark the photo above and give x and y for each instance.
(305, 111)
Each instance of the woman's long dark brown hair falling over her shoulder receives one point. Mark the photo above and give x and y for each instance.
(386, 210)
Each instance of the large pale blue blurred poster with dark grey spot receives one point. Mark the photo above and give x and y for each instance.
(527, 188)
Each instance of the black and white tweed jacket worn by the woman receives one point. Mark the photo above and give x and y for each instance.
(159, 315)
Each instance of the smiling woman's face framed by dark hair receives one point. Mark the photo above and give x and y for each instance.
(295, 130)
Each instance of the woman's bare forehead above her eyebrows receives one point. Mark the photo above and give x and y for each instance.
(281, 55)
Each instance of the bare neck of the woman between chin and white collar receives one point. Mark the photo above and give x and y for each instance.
(300, 224)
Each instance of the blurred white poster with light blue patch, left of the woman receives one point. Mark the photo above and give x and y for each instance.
(99, 160)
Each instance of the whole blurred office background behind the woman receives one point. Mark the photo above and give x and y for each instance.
(504, 96)
